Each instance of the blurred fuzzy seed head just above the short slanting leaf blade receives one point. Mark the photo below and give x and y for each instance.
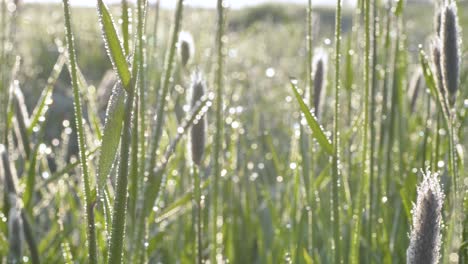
(319, 73)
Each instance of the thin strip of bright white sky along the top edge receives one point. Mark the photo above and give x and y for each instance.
(201, 3)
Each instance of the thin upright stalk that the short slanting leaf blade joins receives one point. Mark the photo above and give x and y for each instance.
(335, 217)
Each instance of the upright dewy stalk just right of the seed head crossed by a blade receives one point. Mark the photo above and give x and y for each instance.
(218, 148)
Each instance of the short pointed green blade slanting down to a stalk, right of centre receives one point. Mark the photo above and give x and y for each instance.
(317, 131)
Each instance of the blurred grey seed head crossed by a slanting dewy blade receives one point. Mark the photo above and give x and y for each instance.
(197, 132)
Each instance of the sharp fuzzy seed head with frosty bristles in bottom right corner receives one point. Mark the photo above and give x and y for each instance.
(425, 237)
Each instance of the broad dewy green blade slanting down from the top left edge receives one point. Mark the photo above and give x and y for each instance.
(113, 45)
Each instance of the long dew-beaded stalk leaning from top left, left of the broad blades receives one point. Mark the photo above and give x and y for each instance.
(89, 204)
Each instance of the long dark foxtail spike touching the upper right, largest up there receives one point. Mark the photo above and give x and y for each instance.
(450, 52)
